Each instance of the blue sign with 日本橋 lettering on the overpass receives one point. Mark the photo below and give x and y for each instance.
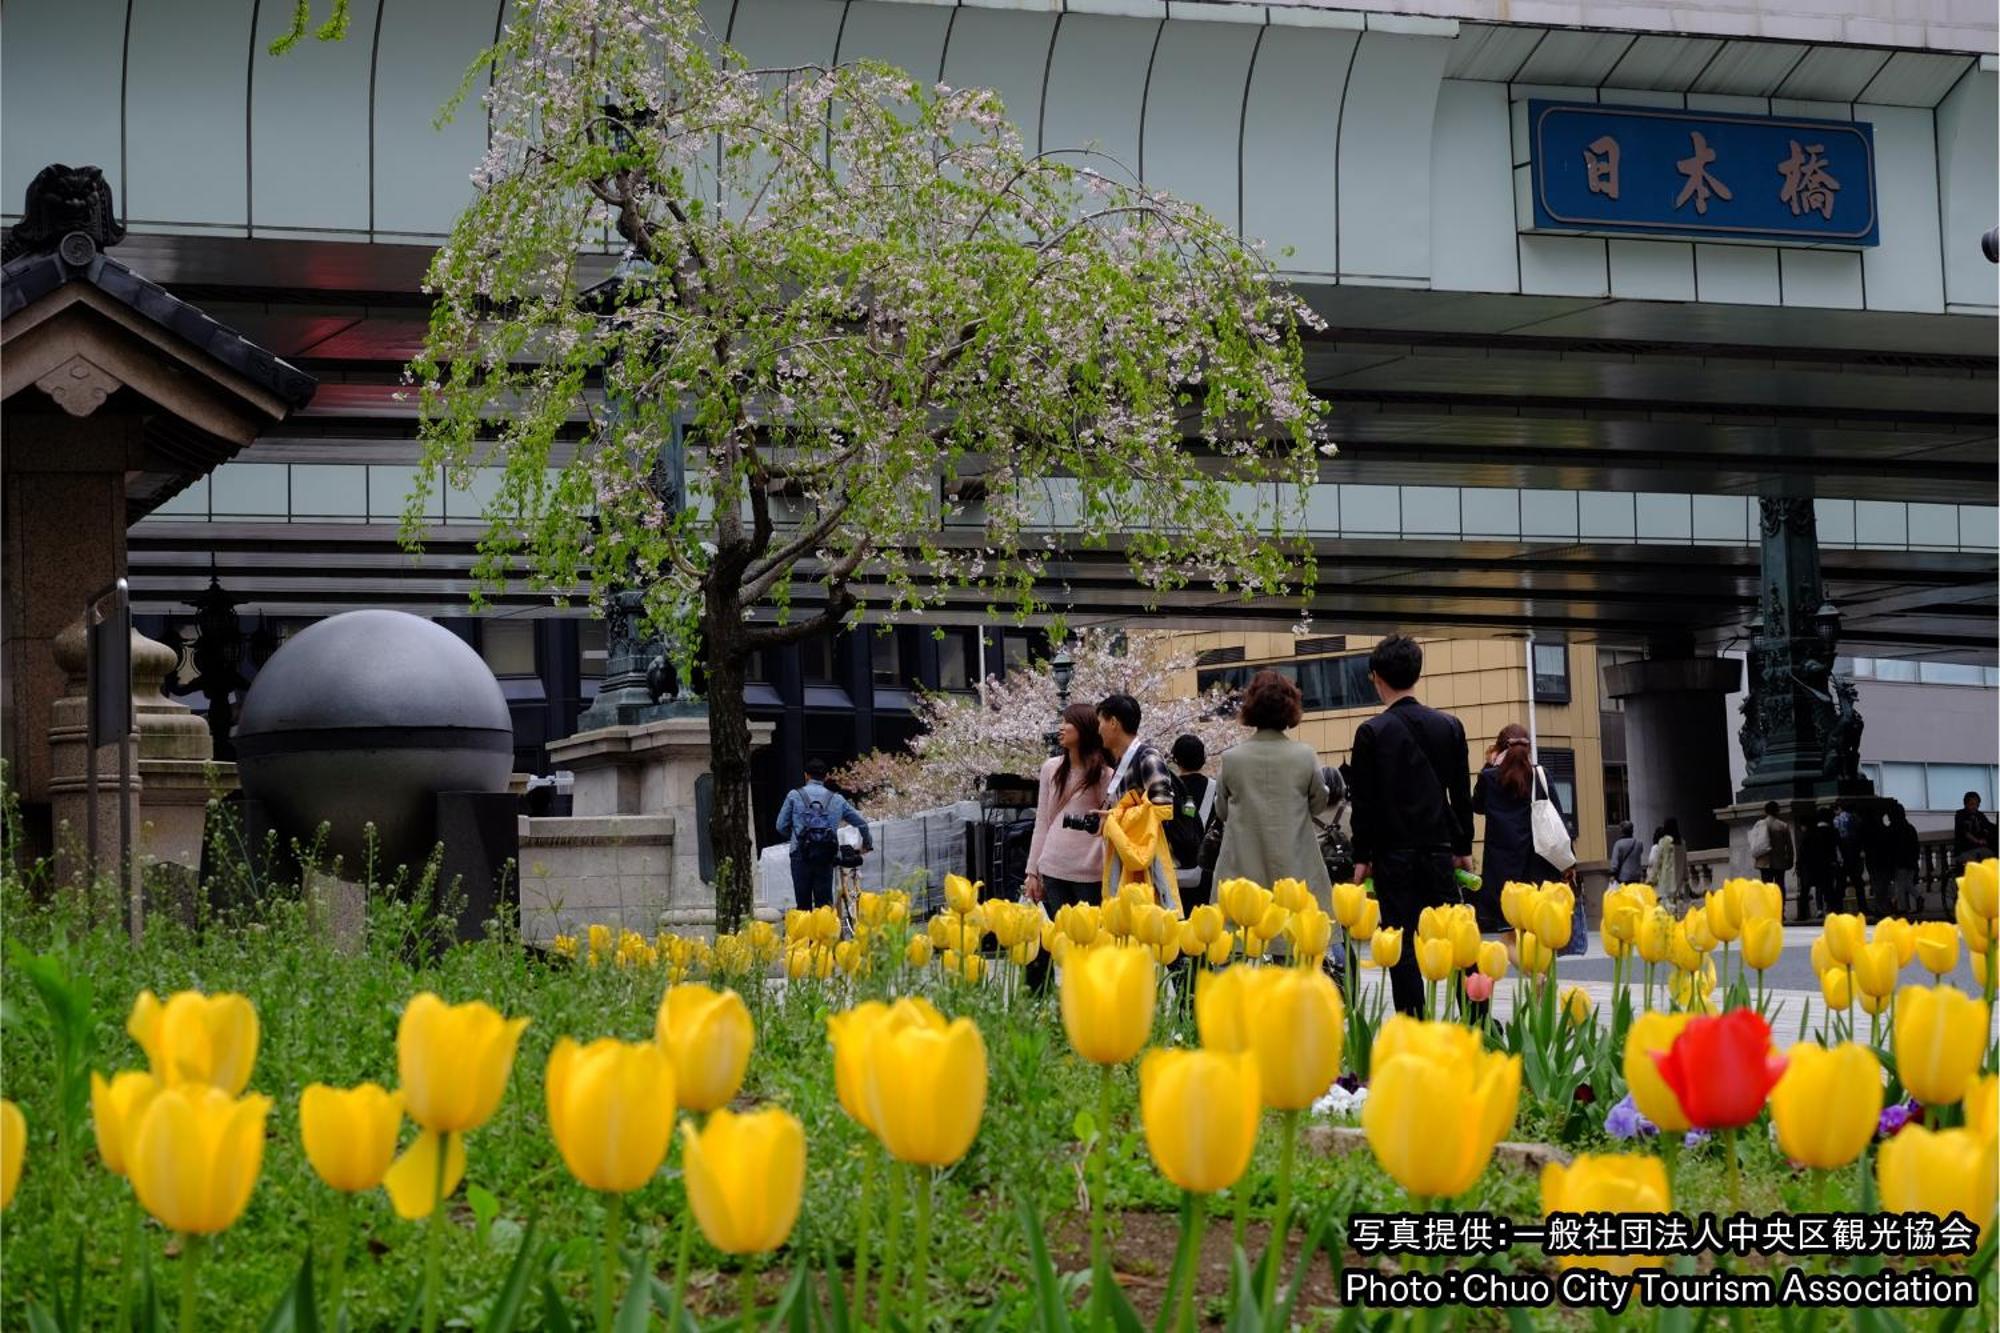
(1659, 171)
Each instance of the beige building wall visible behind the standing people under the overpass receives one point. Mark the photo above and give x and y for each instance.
(1485, 684)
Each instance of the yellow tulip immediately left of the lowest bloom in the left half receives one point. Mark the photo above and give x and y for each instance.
(611, 1112)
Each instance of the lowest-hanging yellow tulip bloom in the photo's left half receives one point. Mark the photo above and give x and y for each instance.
(747, 1178)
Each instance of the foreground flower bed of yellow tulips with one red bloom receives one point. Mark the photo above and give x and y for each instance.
(897, 1132)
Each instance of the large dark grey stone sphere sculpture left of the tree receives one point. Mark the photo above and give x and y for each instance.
(365, 718)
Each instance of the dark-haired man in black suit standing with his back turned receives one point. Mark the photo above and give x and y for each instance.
(1413, 806)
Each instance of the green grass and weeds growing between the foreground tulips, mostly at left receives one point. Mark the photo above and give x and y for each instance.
(331, 1018)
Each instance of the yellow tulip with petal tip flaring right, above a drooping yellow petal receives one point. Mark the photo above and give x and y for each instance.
(455, 1062)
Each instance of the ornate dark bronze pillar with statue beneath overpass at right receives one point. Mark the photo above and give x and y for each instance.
(1801, 732)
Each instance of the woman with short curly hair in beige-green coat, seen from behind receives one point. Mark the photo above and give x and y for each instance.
(1271, 792)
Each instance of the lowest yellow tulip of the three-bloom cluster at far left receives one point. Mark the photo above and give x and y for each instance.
(197, 1154)
